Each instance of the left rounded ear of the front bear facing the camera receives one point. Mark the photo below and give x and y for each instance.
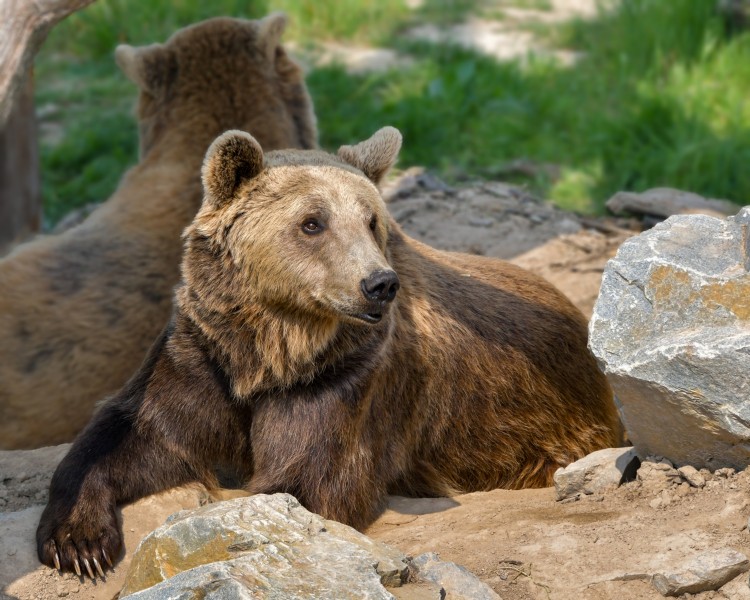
(234, 158)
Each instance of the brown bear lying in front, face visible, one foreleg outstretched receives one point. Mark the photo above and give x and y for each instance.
(315, 349)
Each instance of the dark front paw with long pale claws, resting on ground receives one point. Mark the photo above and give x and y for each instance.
(84, 543)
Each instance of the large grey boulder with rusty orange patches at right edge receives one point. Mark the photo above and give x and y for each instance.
(671, 328)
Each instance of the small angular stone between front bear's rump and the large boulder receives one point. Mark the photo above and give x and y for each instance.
(596, 472)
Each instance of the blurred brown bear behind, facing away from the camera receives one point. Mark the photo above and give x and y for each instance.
(79, 311)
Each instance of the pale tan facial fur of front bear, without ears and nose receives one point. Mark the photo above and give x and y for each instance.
(288, 268)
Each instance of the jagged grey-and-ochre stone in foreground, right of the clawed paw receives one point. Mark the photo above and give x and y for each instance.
(261, 547)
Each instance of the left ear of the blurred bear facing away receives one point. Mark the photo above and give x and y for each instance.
(152, 68)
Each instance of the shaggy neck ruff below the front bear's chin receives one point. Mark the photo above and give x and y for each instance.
(261, 350)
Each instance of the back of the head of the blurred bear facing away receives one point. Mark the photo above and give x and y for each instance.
(216, 75)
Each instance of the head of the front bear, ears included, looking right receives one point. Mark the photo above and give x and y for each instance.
(299, 233)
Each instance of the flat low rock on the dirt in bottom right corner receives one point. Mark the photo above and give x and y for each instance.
(707, 571)
